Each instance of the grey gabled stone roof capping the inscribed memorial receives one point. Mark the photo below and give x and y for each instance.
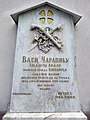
(76, 17)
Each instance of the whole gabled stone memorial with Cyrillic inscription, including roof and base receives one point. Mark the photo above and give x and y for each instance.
(44, 78)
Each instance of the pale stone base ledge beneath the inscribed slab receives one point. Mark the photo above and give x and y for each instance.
(45, 116)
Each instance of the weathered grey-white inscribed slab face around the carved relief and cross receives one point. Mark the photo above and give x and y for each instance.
(44, 82)
